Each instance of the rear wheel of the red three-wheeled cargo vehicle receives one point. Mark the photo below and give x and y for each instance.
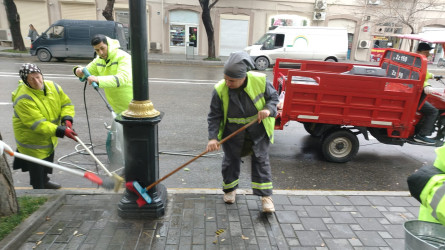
(340, 146)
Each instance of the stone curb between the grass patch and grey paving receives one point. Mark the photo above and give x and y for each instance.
(22, 232)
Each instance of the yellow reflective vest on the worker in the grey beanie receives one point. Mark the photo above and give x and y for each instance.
(255, 88)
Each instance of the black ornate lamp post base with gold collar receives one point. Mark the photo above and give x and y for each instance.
(140, 123)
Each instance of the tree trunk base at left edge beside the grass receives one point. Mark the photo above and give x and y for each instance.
(8, 198)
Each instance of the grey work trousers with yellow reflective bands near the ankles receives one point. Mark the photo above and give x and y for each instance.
(261, 171)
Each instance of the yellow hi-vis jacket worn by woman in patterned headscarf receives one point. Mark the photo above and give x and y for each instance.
(37, 116)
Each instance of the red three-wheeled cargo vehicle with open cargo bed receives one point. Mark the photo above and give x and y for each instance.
(338, 101)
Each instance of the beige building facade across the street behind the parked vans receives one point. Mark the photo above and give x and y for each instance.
(176, 26)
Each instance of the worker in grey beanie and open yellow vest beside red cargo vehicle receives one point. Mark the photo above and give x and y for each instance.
(243, 96)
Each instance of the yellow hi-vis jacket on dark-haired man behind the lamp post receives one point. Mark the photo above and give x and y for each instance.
(115, 76)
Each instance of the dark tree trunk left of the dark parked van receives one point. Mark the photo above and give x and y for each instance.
(14, 25)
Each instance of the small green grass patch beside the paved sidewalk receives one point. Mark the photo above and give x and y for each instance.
(28, 205)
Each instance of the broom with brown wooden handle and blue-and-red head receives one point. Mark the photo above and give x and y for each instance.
(144, 198)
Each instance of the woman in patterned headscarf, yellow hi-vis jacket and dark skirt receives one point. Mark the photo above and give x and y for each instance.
(42, 112)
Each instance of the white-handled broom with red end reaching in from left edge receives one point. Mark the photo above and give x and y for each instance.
(106, 183)
